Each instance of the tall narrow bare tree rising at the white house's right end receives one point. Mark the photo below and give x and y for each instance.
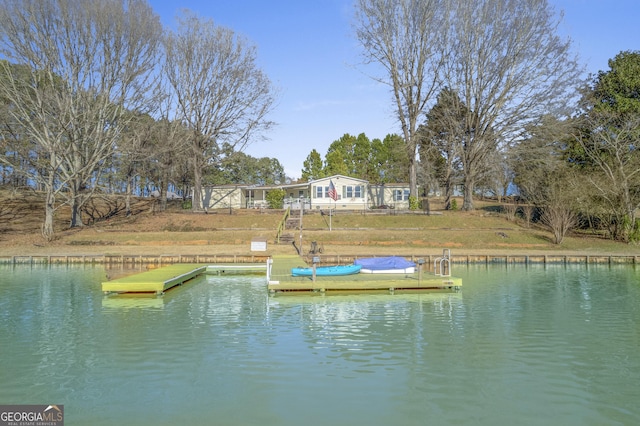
(405, 37)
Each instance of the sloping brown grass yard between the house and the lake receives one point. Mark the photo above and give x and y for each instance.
(485, 230)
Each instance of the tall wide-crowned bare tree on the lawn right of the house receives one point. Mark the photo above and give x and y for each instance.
(509, 68)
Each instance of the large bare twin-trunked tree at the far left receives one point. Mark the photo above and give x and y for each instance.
(90, 62)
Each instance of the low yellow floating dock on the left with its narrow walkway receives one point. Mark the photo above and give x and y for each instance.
(162, 279)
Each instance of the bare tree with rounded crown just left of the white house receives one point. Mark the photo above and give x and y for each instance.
(222, 96)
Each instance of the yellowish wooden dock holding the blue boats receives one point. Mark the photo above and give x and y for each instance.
(280, 280)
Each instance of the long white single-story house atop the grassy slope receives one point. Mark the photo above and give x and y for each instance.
(347, 193)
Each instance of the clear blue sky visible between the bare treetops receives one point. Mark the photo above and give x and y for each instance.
(307, 49)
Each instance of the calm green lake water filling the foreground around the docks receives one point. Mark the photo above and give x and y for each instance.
(532, 345)
